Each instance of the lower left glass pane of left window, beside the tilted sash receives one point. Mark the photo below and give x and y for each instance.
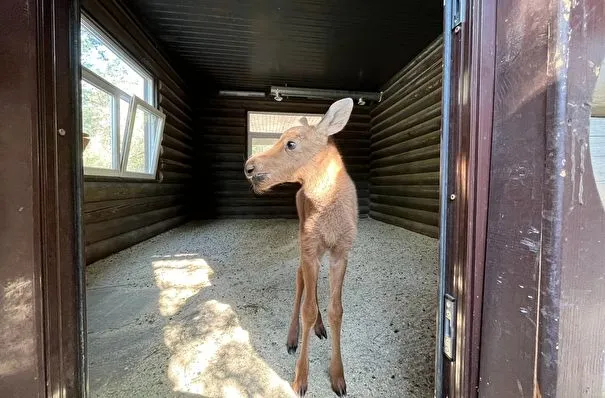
(96, 121)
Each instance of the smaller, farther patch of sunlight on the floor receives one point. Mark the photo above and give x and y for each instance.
(179, 280)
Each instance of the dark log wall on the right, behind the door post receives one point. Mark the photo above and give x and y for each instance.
(404, 142)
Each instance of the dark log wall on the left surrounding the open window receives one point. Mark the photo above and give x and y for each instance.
(119, 213)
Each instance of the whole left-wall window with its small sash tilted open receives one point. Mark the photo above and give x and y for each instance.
(119, 119)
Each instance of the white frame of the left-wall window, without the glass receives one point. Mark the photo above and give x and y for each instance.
(120, 148)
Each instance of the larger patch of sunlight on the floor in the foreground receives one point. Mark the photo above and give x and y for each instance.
(212, 356)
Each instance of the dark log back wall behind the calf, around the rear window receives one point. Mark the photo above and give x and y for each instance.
(221, 186)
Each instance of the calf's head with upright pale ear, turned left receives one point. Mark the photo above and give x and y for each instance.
(287, 159)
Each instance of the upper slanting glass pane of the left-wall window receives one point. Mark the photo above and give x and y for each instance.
(103, 59)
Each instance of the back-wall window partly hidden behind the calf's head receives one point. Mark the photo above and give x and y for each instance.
(265, 128)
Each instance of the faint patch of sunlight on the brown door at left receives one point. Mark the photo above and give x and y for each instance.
(16, 345)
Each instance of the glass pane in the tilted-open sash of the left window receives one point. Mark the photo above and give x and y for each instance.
(144, 142)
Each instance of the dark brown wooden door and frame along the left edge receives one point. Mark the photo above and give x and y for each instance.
(40, 251)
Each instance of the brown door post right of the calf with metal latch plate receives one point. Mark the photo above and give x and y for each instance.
(468, 87)
